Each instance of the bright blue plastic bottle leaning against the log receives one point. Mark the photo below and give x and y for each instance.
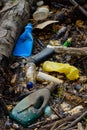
(24, 43)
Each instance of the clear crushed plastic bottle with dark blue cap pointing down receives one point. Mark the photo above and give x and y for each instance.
(30, 74)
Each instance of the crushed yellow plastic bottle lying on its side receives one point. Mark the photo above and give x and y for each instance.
(71, 72)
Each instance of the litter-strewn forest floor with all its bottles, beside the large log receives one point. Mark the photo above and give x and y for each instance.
(45, 83)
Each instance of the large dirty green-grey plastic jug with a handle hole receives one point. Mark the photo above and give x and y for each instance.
(31, 107)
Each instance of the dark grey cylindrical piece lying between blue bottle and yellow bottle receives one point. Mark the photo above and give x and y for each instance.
(42, 56)
